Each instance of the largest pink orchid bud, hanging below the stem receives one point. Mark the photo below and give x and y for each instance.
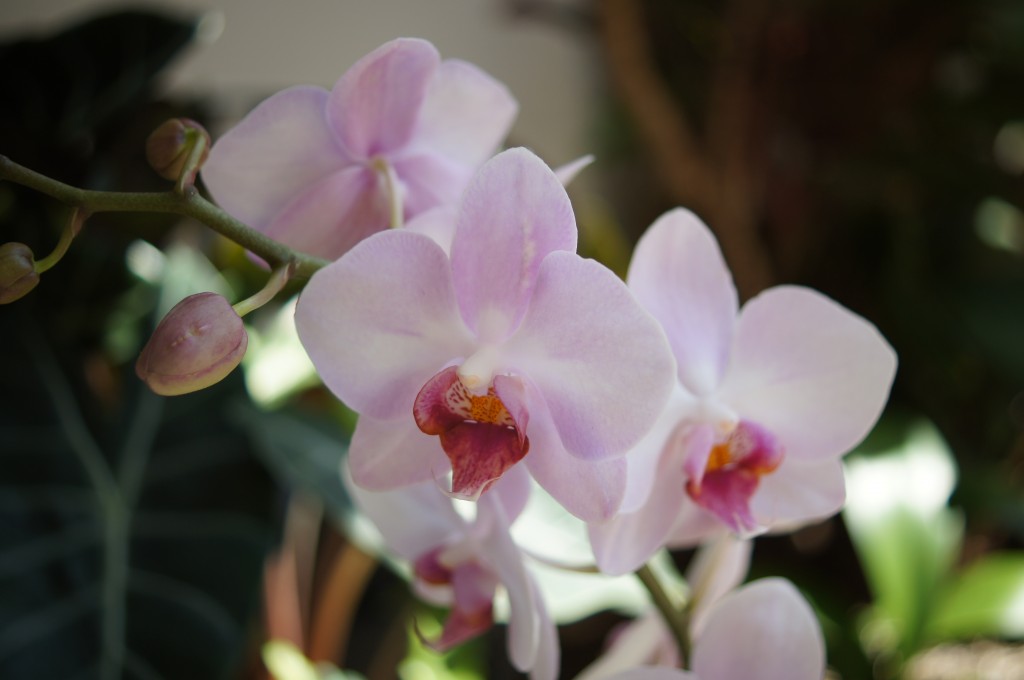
(197, 345)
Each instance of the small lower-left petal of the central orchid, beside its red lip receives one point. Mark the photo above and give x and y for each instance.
(392, 454)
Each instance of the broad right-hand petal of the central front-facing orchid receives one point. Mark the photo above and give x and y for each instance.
(602, 363)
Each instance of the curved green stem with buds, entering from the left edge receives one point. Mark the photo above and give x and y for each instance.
(190, 203)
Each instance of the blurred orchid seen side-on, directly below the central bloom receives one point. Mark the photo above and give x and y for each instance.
(461, 564)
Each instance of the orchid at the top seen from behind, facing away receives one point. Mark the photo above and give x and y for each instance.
(401, 133)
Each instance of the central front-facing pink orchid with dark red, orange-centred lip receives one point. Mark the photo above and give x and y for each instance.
(514, 349)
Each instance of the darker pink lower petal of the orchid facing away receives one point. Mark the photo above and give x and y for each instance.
(333, 215)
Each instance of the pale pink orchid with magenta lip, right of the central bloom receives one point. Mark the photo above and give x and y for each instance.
(767, 401)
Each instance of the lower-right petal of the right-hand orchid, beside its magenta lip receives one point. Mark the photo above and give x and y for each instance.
(800, 492)
